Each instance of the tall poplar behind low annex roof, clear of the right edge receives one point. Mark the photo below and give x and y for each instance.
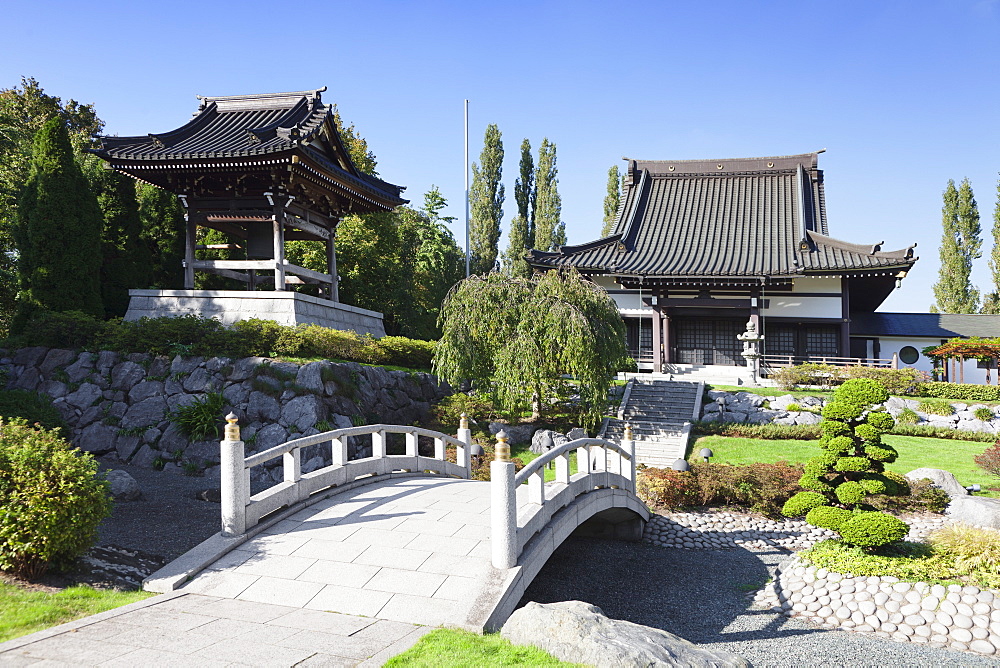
(960, 245)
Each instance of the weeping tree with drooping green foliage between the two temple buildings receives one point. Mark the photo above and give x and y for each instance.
(521, 340)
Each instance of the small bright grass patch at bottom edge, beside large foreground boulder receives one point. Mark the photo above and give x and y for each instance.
(454, 648)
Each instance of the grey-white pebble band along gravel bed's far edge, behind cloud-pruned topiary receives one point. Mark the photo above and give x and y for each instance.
(722, 530)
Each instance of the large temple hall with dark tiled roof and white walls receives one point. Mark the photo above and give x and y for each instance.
(701, 247)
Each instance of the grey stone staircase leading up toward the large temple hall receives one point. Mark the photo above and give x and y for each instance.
(660, 412)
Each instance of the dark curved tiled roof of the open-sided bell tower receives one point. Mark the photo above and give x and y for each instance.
(249, 127)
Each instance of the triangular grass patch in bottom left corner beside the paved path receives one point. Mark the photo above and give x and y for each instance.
(24, 611)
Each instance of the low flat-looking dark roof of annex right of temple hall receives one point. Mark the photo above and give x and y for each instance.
(936, 325)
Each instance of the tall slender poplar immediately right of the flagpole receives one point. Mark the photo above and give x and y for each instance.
(487, 195)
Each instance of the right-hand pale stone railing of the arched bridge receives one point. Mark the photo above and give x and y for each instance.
(600, 464)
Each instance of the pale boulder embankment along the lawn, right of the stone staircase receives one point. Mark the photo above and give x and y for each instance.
(747, 407)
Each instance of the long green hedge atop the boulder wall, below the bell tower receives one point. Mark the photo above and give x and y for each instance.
(193, 335)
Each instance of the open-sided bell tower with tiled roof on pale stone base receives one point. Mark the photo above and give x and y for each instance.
(264, 169)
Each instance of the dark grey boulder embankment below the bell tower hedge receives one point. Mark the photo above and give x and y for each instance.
(121, 405)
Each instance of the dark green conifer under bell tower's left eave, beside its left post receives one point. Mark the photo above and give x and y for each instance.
(162, 219)
